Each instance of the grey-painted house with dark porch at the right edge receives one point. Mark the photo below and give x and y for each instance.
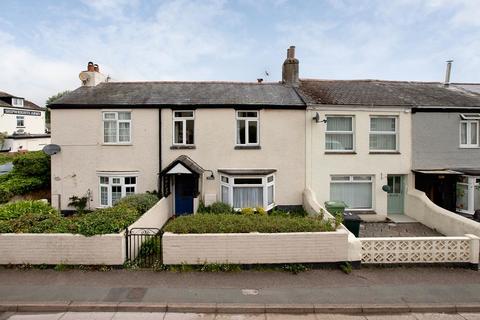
(446, 148)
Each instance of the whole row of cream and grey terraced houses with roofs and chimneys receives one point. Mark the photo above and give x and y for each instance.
(364, 142)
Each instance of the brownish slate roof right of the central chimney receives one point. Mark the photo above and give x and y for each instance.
(387, 93)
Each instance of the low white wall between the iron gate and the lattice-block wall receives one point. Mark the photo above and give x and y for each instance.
(253, 248)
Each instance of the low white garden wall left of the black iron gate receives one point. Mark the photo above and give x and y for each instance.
(58, 248)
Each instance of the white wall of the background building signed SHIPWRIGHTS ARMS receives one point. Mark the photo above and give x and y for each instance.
(33, 124)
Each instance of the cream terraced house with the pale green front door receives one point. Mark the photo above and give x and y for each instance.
(358, 143)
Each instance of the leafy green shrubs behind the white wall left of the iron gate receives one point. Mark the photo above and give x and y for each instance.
(39, 217)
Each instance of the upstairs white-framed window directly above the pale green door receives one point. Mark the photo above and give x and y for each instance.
(383, 134)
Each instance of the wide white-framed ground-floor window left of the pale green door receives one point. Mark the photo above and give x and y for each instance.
(355, 191)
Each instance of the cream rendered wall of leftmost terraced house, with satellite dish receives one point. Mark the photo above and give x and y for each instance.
(80, 136)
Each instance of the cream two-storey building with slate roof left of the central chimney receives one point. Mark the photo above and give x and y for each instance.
(239, 143)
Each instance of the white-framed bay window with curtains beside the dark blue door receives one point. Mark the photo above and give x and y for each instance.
(248, 191)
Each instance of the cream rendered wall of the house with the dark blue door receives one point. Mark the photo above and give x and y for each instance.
(282, 141)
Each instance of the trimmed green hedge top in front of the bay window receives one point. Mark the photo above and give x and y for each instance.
(231, 223)
